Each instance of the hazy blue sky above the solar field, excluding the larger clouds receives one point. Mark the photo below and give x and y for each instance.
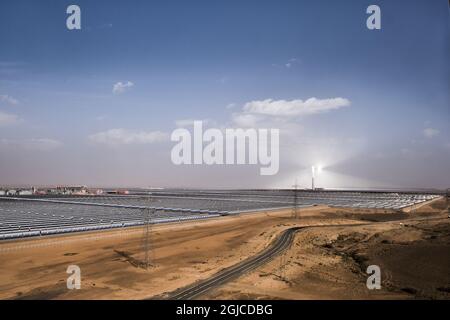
(206, 60)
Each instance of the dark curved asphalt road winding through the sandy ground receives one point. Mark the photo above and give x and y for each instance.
(233, 272)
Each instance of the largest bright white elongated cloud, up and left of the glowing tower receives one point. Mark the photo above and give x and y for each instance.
(284, 108)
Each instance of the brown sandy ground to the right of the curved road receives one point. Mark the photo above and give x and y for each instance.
(413, 254)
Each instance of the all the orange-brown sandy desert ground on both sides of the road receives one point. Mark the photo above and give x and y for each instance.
(325, 262)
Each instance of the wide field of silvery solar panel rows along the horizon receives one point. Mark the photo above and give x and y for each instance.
(39, 216)
